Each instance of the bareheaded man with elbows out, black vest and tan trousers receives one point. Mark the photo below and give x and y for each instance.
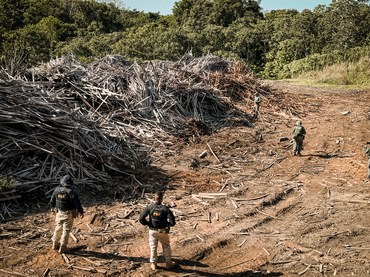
(160, 220)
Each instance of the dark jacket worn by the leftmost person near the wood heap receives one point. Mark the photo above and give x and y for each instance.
(72, 202)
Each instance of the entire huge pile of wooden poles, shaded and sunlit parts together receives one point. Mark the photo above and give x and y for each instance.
(103, 120)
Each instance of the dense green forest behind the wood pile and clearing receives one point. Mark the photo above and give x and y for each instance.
(274, 44)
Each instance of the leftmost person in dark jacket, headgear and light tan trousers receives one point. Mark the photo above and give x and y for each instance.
(68, 206)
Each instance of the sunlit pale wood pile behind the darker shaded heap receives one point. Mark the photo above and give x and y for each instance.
(159, 95)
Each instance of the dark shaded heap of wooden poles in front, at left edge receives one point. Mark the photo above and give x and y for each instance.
(43, 140)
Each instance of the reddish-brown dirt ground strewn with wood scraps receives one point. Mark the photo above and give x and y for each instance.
(249, 208)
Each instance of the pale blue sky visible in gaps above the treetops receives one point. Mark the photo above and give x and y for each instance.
(165, 6)
